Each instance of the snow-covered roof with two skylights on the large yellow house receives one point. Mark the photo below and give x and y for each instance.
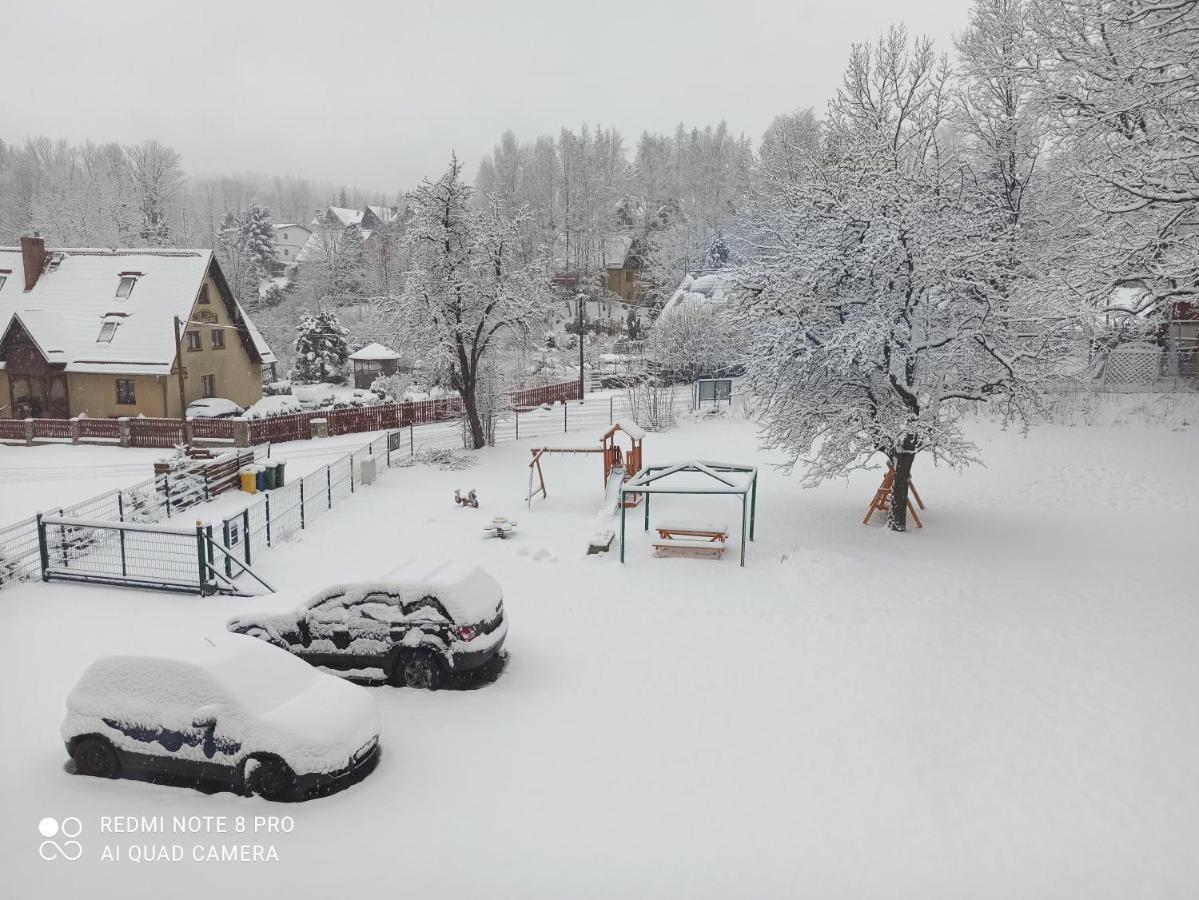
(74, 305)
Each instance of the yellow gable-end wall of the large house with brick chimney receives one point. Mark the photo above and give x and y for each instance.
(239, 379)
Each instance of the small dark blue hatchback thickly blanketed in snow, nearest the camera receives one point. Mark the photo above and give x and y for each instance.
(225, 711)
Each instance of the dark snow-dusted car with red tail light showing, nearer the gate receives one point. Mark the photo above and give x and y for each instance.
(417, 627)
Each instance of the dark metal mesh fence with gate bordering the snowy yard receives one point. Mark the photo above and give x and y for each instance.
(126, 537)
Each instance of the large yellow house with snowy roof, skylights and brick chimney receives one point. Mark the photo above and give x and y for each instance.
(91, 333)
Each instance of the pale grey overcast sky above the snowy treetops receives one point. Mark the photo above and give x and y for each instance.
(377, 95)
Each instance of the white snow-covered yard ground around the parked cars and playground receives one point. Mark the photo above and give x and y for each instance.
(1003, 705)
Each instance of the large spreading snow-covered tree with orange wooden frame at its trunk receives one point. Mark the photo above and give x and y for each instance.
(879, 286)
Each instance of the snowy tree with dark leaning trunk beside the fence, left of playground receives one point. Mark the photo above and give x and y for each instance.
(469, 285)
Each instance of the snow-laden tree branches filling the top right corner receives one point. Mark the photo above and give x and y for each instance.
(1123, 82)
